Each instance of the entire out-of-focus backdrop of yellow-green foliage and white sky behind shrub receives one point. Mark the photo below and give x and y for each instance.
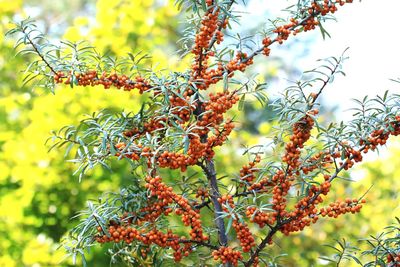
(39, 194)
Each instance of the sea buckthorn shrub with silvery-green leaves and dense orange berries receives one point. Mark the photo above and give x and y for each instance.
(180, 129)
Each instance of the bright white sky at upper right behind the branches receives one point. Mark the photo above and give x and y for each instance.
(371, 30)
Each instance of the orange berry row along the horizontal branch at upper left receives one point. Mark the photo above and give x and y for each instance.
(91, 78)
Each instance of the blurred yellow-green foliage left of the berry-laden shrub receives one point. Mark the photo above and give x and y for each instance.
(38, 193)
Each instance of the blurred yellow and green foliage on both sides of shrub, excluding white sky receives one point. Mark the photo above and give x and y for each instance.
(39, 194)
